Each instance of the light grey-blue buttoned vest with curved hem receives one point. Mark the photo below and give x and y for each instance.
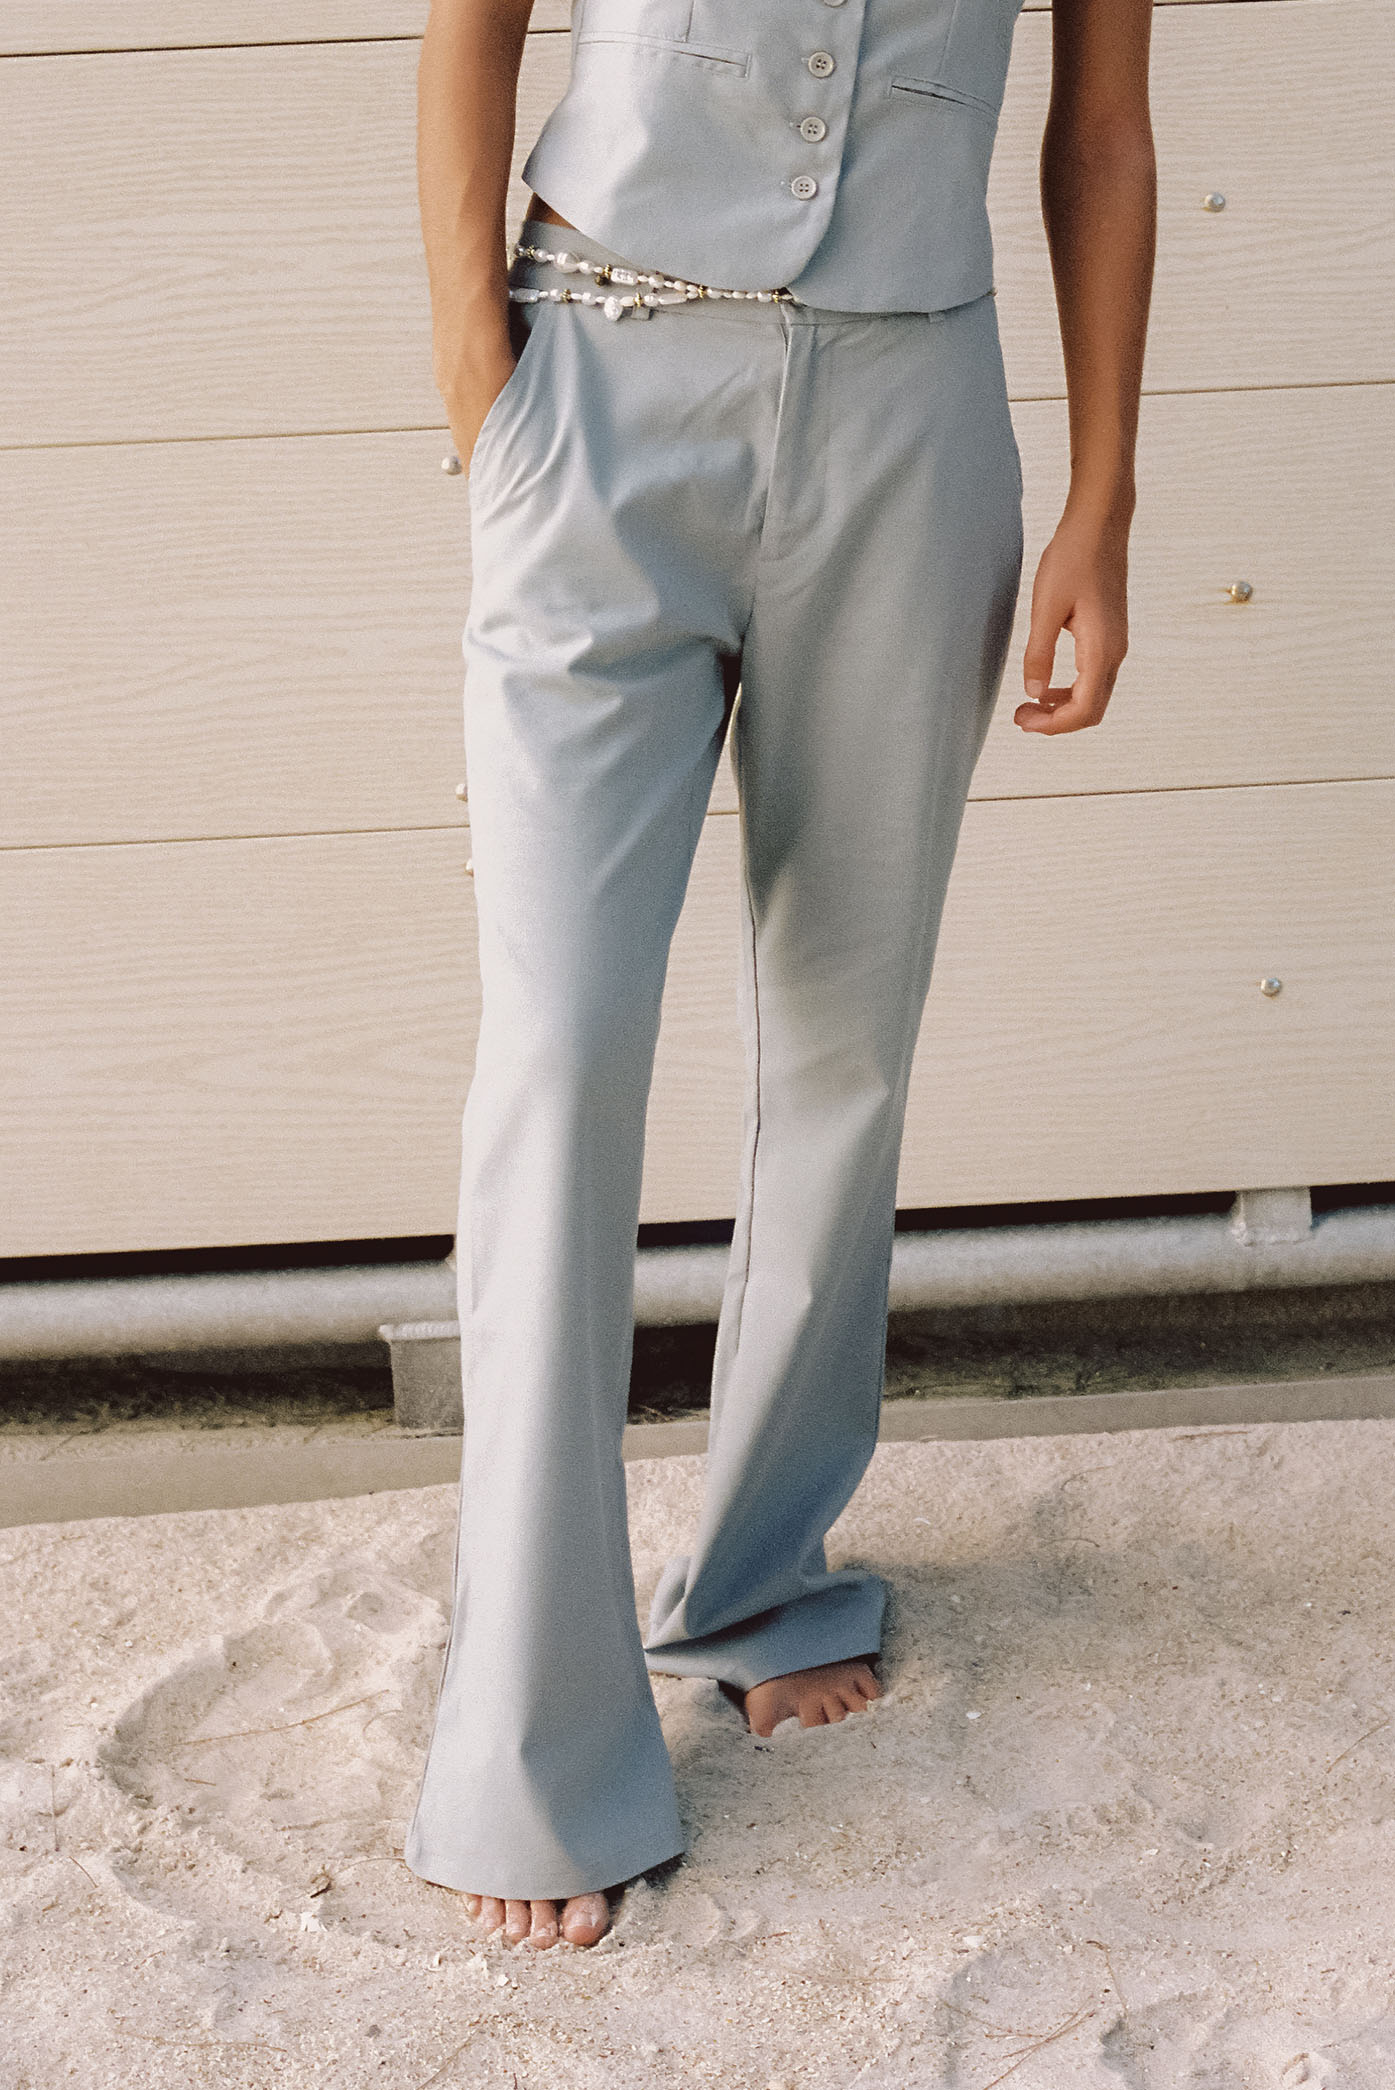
(838, 147)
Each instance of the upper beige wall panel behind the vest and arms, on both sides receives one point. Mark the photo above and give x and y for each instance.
(225, 241)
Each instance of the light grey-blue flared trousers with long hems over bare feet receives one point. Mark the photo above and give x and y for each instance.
(825, 509)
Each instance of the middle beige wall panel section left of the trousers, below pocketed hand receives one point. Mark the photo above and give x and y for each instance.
(233, 638)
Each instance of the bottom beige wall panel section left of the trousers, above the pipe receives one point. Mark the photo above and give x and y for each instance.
(233, 1042)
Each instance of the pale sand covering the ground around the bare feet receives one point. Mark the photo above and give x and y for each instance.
(1124, 1817)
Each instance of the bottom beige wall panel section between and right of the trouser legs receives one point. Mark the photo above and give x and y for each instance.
(1097, 1025)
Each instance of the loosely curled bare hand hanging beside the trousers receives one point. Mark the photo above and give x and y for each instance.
(1080, 588)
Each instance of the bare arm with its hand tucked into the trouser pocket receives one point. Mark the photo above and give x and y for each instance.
(465, 131)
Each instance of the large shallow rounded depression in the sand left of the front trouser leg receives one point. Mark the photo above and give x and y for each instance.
(315, 1719)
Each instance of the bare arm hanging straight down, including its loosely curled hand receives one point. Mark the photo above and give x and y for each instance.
(1099, 204)
